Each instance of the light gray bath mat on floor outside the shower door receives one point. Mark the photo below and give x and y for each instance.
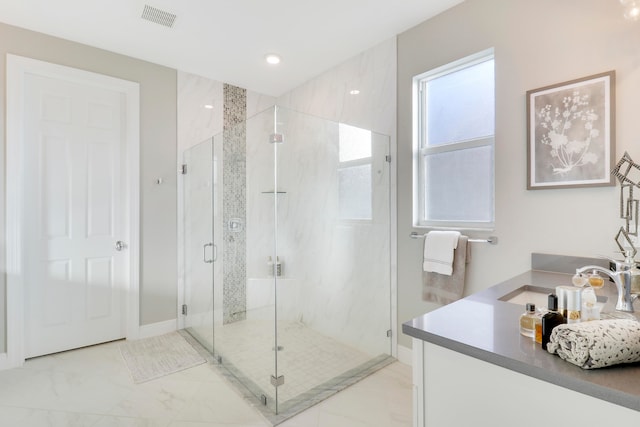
(155, 357)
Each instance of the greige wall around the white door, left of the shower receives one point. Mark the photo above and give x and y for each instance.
(157, 156)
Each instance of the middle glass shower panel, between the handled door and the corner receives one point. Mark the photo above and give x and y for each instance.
(245, 338)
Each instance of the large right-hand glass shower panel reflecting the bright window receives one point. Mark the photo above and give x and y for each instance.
(333, 244)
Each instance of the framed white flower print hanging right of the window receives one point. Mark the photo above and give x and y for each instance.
(571, 133)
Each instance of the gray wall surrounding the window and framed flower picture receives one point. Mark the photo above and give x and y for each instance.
(537, 43)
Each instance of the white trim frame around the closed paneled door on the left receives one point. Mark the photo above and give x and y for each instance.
(17, 68)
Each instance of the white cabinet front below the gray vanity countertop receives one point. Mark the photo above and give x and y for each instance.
(451, 389)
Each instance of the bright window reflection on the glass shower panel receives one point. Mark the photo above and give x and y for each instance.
(354, 173)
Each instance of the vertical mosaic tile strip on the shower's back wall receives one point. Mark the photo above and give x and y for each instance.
(234, 206)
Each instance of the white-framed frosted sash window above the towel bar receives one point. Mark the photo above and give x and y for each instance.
(454, 117)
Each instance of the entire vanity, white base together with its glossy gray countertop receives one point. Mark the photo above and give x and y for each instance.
(471, 367)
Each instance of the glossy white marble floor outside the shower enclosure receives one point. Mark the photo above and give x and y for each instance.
(92, 387)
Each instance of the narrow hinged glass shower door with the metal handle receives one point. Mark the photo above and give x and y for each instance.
(198, 243)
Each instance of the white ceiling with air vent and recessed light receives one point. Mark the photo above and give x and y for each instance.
(226, 40)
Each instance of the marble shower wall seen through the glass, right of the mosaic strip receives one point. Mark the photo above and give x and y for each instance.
(336, 271)
